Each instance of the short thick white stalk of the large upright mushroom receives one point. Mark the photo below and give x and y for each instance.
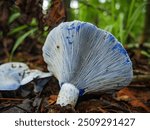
(68, 95)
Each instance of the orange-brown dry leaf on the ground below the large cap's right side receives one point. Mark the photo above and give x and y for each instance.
(131, 96)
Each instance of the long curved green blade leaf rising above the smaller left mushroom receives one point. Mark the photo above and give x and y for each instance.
(20, 40)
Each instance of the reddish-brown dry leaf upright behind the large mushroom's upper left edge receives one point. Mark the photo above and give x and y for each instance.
(56, 13)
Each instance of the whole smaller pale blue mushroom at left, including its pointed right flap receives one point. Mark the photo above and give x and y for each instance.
(16, 74)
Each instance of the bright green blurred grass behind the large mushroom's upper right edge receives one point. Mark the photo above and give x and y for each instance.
(124, 19)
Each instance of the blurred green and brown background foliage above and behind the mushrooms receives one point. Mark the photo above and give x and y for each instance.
(31, 20)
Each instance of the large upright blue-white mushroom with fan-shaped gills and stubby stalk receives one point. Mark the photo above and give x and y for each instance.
(85, 59)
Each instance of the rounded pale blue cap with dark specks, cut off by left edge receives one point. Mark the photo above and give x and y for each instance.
(11, 74)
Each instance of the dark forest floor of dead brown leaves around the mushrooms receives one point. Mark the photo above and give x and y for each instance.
(134, 98)
